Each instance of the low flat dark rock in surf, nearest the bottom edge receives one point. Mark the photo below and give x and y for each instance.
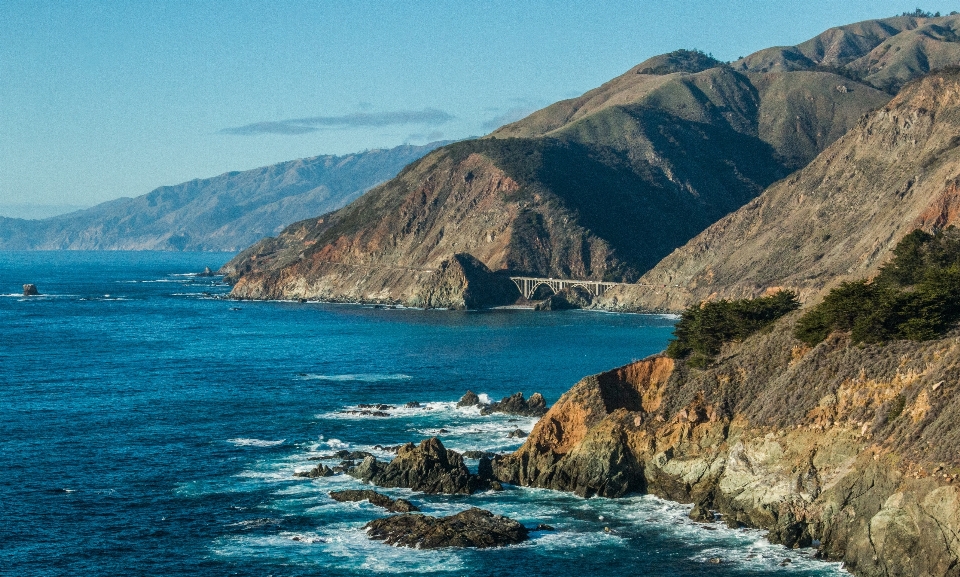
(471, 528)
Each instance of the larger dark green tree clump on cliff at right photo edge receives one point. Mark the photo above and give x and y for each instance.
(916, 296)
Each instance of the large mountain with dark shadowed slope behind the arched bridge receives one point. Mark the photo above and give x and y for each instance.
(606, 185)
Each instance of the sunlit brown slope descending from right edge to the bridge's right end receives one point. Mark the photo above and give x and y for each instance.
(837, 219)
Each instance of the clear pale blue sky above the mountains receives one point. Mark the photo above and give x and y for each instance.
(100, 100)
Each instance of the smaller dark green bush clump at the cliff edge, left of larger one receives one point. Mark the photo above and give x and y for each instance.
(703, 329)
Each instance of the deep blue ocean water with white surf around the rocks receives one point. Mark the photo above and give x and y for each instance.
(149, 428)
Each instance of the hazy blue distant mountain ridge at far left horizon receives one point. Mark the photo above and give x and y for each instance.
(224, 213)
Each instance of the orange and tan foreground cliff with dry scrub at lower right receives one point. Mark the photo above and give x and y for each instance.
(851, 446)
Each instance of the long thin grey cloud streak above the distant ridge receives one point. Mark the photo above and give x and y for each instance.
(425, 117)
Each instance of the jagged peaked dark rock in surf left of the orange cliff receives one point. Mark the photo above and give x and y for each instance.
(430, 468)
